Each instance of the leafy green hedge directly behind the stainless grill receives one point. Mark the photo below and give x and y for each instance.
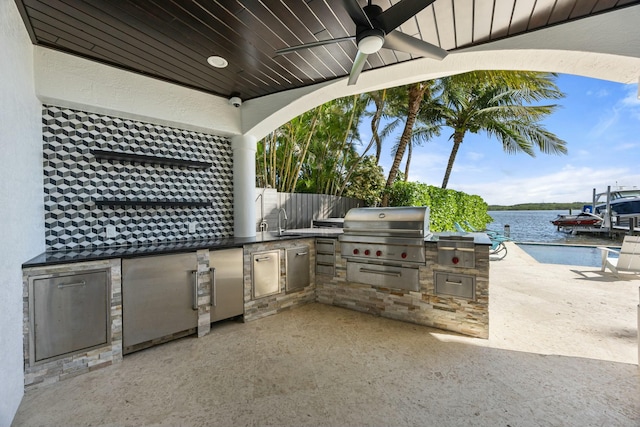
(446, 206)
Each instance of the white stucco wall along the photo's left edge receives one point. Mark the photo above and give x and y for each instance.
(21, 196)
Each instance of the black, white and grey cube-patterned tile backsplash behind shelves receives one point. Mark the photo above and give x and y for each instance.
(74, 179)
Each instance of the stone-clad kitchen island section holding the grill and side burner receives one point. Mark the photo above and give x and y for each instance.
(388, 264)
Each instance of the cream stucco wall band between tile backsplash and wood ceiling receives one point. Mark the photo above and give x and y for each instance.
(70, 81)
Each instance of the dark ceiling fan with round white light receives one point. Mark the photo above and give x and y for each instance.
(376, 29)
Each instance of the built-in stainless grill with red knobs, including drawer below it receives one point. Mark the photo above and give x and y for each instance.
(385, 246)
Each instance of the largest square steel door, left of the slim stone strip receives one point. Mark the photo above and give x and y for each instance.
(158, 297)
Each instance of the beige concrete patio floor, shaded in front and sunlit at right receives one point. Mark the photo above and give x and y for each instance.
(562, 352)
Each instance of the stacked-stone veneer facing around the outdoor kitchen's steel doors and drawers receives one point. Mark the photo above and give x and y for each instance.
(469, 317)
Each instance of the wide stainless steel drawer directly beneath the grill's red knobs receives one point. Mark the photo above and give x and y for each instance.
(386, 276)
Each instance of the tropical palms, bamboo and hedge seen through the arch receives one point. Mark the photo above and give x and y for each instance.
(321, 150)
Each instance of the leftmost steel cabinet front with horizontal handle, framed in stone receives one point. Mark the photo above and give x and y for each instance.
(68, 313)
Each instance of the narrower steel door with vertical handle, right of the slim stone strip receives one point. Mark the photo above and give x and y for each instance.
(227, 284)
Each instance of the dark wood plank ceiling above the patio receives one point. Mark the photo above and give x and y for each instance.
(172, 39)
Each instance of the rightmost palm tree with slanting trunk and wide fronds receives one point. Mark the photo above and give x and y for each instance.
(499, 103)
